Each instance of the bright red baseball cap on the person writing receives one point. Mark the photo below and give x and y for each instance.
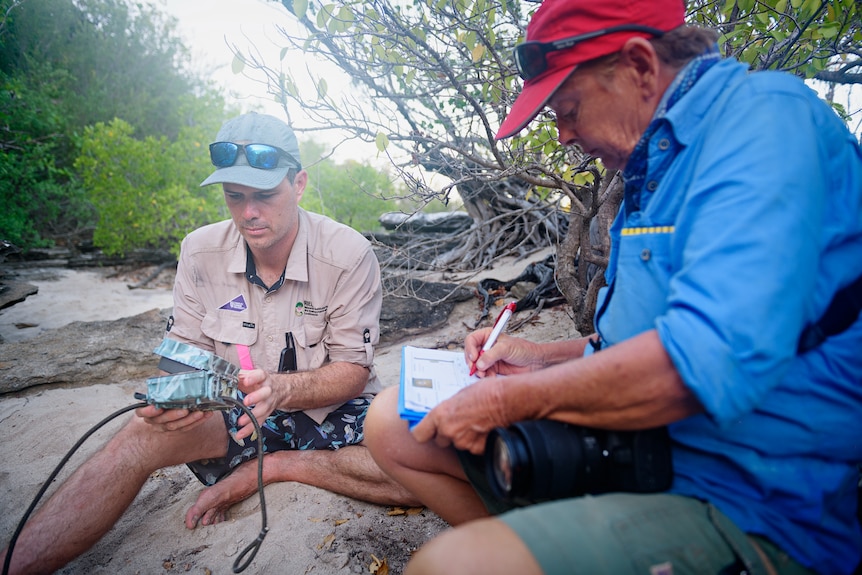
(564, 19)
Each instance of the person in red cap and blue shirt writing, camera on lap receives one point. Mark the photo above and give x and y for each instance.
(731, 321)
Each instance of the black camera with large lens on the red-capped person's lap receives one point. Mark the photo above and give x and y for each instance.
(542, 460)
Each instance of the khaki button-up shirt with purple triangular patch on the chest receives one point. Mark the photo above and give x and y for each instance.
(330, 300)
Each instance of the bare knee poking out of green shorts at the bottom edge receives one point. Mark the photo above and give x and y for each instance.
(486, 546)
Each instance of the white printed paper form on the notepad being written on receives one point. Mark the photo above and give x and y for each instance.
(431, 376)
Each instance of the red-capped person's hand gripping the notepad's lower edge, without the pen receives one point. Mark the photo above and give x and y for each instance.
(465, 419)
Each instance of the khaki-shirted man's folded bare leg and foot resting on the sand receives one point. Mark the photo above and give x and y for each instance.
(349, 471)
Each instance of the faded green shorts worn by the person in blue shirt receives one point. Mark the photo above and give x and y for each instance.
(627, 533)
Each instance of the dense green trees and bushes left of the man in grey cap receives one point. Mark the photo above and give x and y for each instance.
(68, 70)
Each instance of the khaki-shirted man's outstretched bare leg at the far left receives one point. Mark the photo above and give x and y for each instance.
(97, 494)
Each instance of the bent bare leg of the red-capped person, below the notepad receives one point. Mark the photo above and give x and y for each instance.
(432, 473)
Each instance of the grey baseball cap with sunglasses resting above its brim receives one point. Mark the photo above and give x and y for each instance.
(254, 128)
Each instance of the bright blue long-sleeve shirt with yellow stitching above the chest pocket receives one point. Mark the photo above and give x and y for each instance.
(749, 222)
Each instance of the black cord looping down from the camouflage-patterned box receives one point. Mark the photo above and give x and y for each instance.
(252, 548)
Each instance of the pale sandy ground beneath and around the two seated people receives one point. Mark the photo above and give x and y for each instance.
(310, 530)
